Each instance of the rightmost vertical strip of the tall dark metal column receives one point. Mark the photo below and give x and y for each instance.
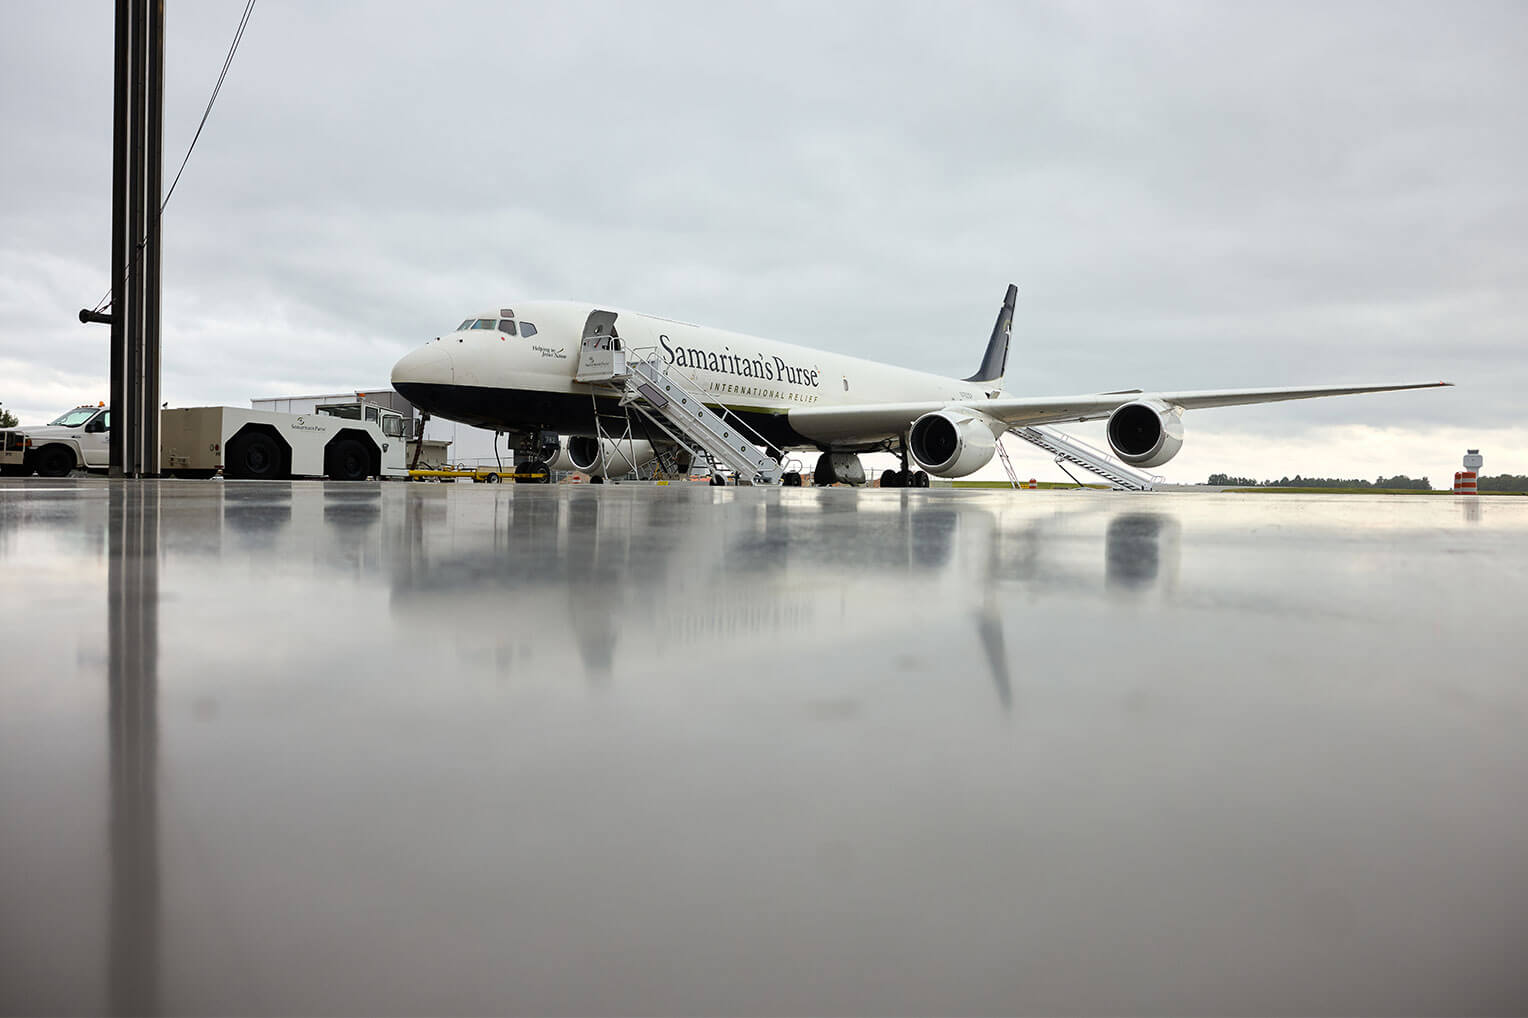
(154, 189)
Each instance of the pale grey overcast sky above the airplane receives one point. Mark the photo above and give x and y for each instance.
(1190, 196)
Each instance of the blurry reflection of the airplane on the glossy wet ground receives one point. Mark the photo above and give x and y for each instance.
(627, 588)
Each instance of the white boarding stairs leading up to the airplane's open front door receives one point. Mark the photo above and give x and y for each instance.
(678, 409)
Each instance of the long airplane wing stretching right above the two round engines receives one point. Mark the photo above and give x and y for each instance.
(875, 423)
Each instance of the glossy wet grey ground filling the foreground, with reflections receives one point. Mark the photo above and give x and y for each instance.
(468, 750)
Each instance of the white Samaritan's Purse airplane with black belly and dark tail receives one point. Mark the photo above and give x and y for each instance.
(516, 371)
